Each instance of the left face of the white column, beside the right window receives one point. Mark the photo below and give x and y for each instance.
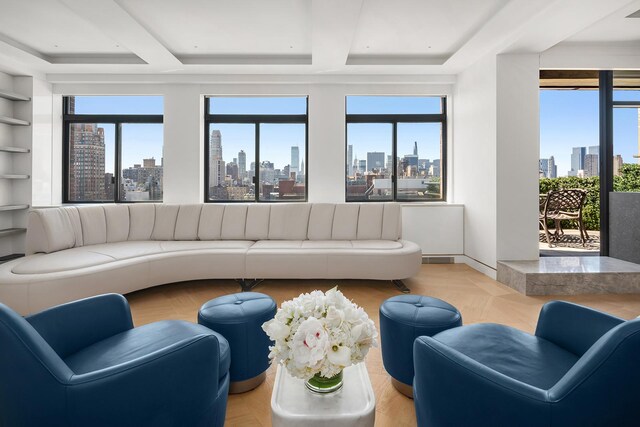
(475, 157)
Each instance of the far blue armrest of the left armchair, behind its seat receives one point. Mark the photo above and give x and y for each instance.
(67, 328)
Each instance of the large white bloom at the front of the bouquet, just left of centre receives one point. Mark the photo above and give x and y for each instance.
(310, 343)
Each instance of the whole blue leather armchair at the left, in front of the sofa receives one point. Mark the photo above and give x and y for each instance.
(84, 364)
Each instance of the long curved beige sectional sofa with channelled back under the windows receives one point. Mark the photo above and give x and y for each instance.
(75, 252)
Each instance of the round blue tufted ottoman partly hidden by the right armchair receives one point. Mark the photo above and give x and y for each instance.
(404, 318)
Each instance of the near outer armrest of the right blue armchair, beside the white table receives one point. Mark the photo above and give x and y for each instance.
(452, 389)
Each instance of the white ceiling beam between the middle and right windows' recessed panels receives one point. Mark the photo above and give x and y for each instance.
(334, 24)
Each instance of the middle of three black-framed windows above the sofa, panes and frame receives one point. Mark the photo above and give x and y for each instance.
(256, 149)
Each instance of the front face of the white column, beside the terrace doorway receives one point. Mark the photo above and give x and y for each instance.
(518, 150)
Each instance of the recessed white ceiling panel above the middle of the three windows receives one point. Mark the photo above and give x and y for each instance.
(226, 27)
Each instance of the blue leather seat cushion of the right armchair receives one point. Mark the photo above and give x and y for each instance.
(516, 354)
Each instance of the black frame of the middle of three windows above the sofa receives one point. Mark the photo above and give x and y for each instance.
(256, 120)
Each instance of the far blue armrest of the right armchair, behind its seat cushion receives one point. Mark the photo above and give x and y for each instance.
(573, 327)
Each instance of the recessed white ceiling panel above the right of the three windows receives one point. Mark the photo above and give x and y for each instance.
(419, 27)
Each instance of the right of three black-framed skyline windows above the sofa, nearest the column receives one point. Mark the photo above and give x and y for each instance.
(396, 148)
